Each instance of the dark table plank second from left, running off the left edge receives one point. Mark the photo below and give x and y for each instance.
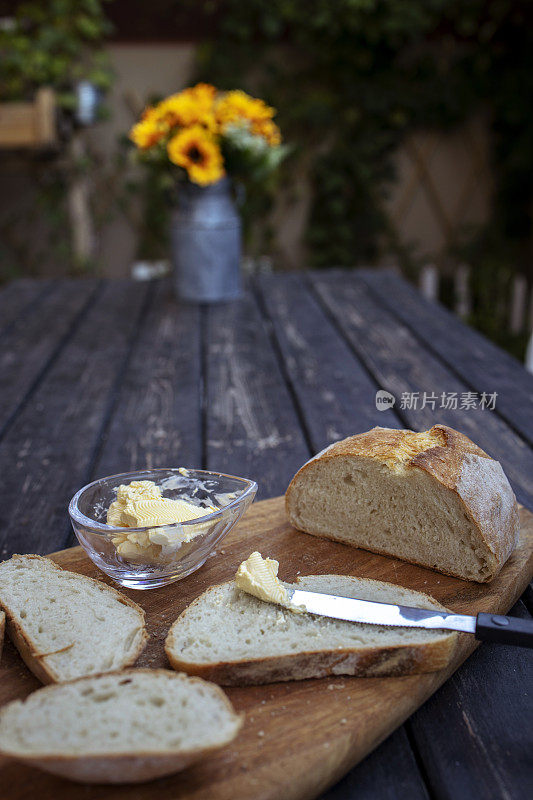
(33, 340)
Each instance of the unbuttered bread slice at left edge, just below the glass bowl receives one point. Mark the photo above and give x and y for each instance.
(66, 625)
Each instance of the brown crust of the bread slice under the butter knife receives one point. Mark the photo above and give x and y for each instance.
(363, 662)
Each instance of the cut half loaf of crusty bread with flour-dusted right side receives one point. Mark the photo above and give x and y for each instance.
(432, 498)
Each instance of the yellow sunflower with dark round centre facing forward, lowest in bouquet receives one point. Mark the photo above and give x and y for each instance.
(195, 150)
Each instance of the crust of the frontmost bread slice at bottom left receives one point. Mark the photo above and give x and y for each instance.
(123, 767)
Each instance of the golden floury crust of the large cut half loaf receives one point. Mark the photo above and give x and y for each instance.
(458, 465)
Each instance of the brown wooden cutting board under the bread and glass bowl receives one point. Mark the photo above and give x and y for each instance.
(300, 737)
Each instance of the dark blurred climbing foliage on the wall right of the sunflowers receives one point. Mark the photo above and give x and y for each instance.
(352, 78)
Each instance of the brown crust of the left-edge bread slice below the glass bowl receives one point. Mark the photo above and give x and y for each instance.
(36, 661)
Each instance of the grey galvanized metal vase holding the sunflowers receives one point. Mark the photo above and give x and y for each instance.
(206, 243)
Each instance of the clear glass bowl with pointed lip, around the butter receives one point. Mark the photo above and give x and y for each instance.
(147, 565)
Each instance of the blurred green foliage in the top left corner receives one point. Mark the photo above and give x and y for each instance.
(54, 43)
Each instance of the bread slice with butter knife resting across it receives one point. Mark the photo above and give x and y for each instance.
(235, 639)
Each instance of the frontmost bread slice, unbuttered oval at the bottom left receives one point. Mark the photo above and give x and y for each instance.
(123, 727)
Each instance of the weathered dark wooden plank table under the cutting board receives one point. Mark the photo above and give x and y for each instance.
(98, 378)
